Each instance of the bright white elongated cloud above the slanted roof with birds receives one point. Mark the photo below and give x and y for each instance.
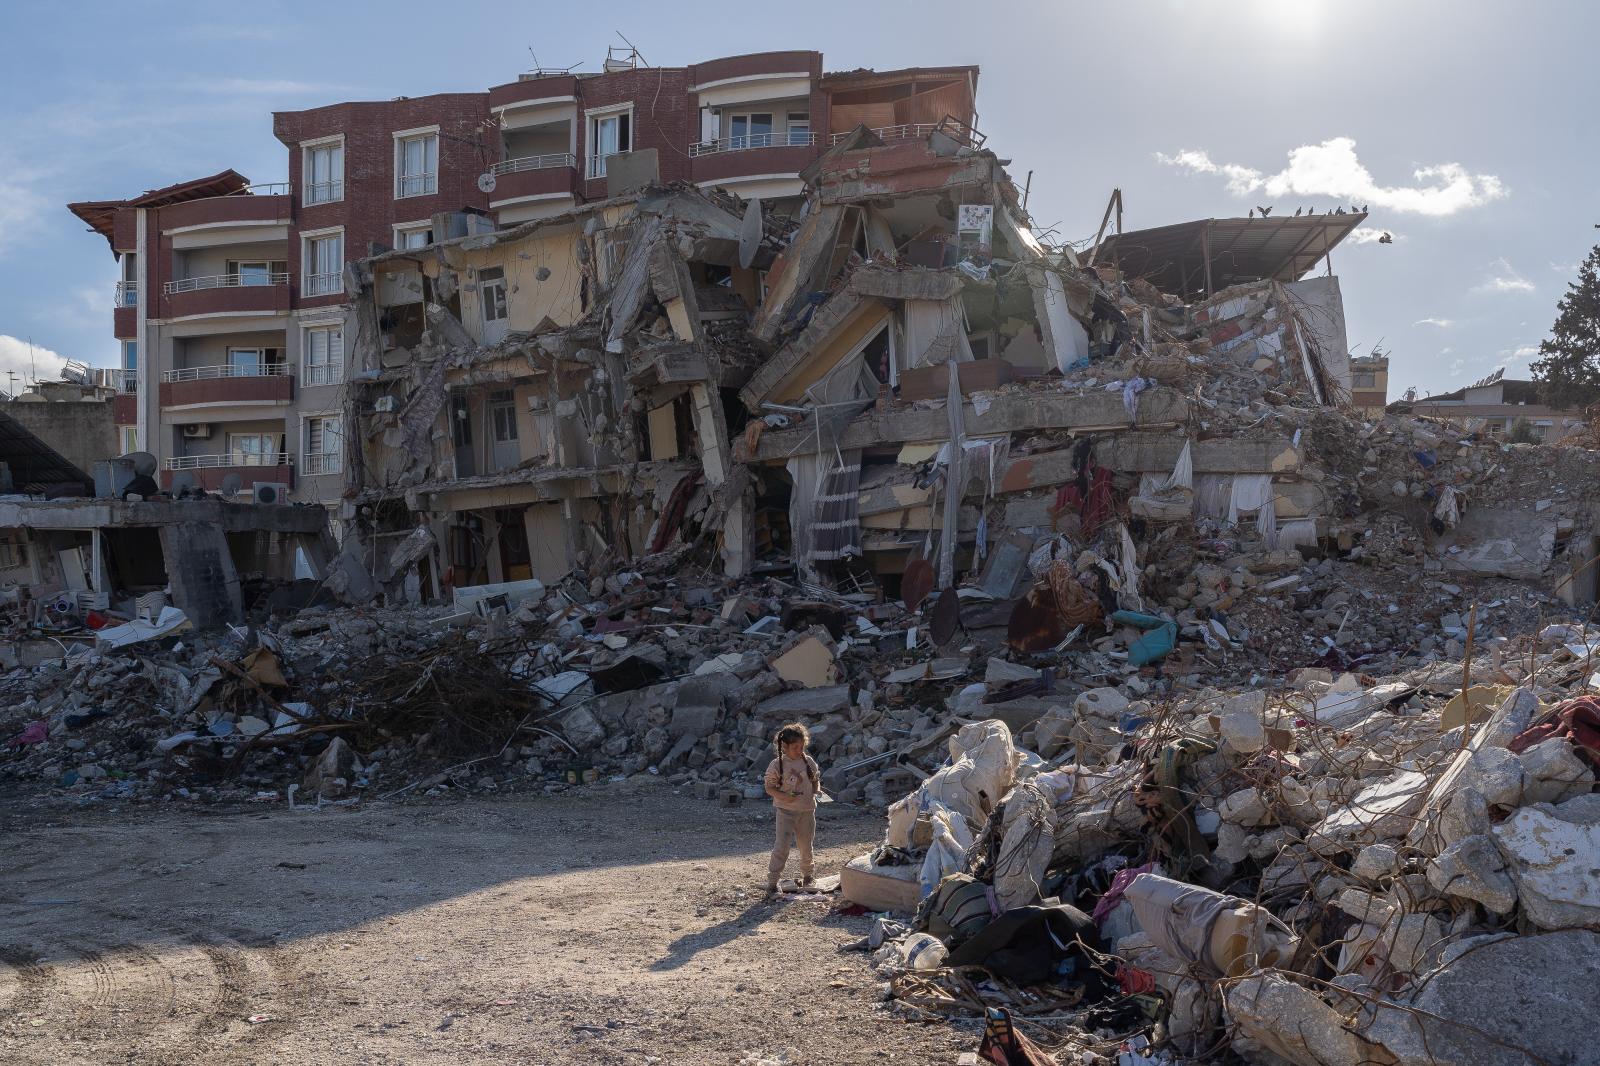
(1334, 170)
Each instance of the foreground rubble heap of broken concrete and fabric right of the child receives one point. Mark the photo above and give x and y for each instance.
(1348, 870)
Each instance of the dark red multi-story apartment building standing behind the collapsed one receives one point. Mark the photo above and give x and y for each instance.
(234, 311)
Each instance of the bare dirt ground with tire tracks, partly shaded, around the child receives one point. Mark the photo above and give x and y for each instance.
(617, 924)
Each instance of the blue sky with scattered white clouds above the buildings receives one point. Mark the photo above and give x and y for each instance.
(1468, 127)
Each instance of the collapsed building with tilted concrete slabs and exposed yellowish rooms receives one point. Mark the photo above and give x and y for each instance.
(786, 385)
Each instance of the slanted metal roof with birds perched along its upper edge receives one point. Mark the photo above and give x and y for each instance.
(1209, 255)
